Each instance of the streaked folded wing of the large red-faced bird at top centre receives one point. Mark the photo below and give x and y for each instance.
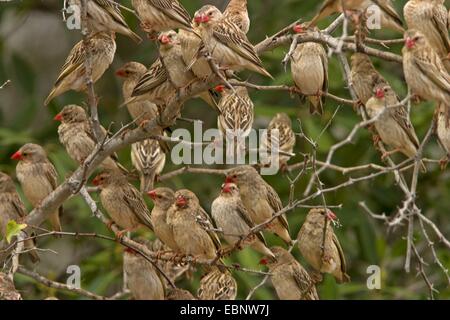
(232, 37)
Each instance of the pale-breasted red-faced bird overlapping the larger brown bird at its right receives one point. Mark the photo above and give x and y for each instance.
(232, 217)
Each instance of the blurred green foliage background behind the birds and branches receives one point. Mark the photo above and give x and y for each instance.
(364, 240)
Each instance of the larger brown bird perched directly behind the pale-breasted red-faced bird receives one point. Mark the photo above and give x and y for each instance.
(260, 200)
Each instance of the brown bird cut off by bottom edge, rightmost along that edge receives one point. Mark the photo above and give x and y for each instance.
(290, 279)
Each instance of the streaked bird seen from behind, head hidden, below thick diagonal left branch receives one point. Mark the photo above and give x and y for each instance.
(149, 159)
